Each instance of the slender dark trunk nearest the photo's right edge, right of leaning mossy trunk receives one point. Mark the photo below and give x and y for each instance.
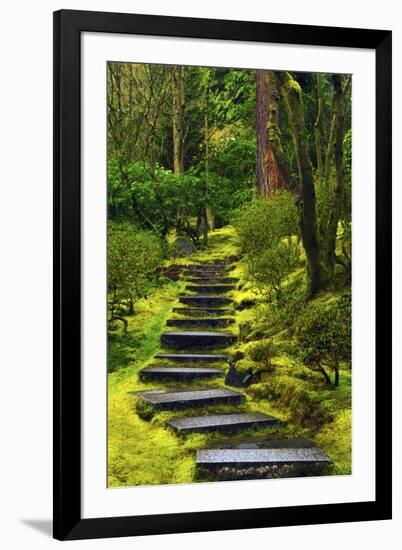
(337, 200)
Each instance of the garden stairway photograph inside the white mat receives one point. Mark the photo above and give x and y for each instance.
(229, 270)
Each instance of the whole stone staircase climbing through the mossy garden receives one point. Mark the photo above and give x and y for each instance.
(189, 356)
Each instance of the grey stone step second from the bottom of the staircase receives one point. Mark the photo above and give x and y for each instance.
(222, 422)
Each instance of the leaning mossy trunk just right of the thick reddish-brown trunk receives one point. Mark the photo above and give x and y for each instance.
(291, 93)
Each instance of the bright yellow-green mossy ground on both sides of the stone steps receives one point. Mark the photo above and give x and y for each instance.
(146, 452)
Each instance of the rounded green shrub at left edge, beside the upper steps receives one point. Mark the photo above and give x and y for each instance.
(133, 257)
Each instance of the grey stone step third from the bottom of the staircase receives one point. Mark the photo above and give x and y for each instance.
(192, 398)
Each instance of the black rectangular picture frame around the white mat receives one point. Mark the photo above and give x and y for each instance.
(68, 26)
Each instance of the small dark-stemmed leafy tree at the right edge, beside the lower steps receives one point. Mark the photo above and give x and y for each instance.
(323, 336)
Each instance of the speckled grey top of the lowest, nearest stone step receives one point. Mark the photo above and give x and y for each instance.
(211, 458)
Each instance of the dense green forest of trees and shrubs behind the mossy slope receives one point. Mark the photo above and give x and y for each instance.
(192, 149)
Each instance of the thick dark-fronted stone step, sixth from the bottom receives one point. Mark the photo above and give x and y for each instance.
(196, 340)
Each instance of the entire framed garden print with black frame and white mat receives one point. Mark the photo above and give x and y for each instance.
(220, 361)
